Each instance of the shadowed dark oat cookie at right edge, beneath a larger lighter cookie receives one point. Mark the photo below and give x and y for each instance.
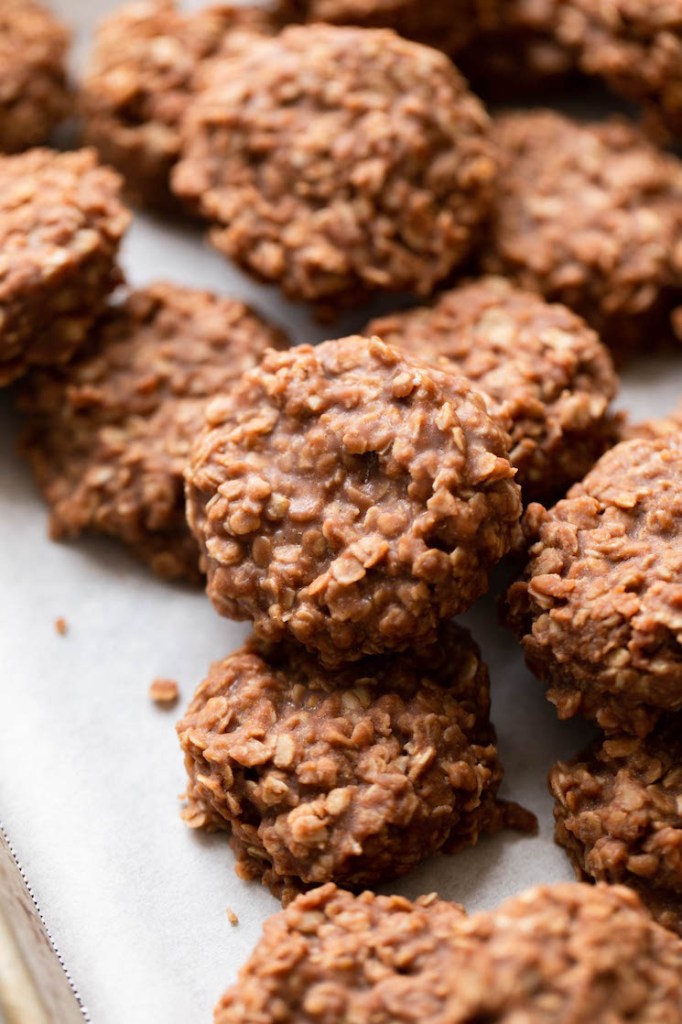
(619, 815)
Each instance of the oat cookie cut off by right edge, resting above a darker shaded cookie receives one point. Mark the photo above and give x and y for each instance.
(599, 607)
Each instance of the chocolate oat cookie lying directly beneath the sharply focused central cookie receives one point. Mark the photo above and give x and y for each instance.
(352, 776)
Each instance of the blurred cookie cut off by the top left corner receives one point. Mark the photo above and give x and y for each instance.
(34, 94)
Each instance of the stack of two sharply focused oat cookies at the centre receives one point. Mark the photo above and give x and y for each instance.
(348, 500)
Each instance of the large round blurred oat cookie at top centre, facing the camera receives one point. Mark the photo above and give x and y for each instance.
(338, 161)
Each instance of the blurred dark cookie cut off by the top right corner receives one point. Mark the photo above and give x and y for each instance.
(635, 46)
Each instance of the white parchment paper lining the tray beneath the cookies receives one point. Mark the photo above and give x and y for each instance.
(91, 770)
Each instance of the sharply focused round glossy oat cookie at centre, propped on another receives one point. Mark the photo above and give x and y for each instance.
(351, 497)
